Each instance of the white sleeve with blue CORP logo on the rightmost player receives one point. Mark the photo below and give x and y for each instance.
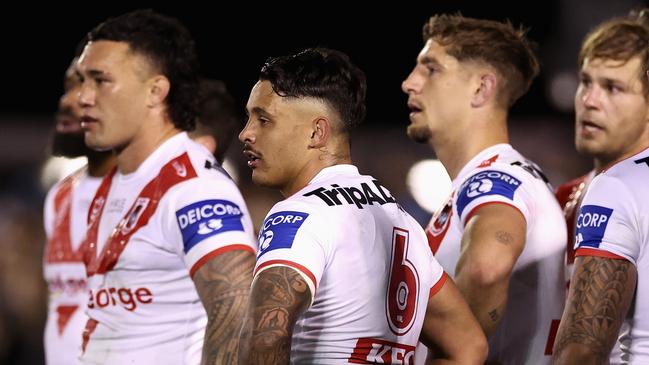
(605, 225)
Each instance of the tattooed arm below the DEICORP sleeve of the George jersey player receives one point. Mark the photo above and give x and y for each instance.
(223, 284)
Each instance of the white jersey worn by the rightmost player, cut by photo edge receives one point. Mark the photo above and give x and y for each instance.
(613, 222)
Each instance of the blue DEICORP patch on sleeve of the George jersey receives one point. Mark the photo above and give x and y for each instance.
(206, 218)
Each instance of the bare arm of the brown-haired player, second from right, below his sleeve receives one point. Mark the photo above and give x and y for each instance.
(493, 240)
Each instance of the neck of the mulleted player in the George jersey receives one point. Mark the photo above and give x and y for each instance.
(131, 156)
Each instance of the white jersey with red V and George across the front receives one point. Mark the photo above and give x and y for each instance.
(149, 231)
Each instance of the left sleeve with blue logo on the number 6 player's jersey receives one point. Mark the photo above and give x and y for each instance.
(294, 235)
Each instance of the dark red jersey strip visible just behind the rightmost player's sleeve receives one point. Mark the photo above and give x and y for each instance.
(569, 196)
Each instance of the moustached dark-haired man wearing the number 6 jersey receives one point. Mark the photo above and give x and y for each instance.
(343, 273)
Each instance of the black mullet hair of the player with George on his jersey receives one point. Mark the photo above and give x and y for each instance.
(169, 47)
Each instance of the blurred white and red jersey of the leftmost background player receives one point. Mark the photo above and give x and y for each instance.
(65, 220)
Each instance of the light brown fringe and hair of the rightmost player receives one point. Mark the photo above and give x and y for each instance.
(621, 39)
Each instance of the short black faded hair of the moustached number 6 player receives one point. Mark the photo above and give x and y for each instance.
(321, 73)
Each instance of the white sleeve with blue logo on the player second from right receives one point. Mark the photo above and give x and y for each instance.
(501, 184)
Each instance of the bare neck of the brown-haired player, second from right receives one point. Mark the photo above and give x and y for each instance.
(455, 151)
